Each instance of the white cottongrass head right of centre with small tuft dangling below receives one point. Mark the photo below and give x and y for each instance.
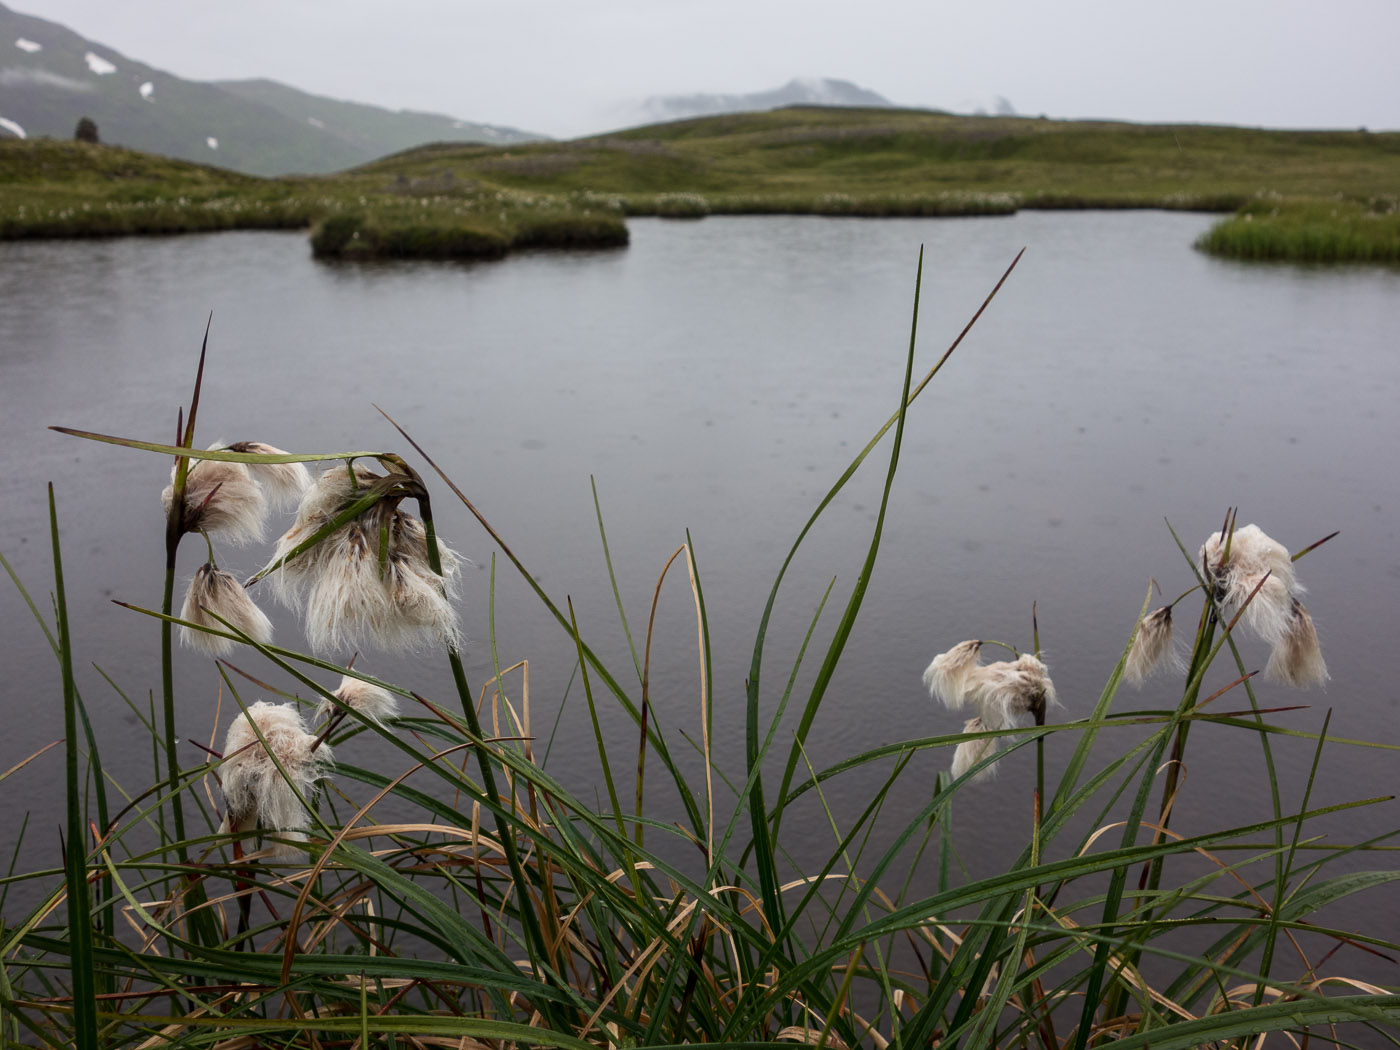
(1007, 695)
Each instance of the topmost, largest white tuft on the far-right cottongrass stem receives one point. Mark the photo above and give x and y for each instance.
(1254, 558)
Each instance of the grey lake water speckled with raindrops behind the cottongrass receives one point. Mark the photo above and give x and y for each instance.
(717, 377)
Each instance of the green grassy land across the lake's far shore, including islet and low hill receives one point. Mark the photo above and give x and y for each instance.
(1304, 197)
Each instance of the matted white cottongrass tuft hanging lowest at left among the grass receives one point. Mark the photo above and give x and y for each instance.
(257, 794)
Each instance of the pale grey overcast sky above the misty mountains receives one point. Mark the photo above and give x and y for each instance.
(568, 68)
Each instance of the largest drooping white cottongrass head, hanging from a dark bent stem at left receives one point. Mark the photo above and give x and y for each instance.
(355, 593)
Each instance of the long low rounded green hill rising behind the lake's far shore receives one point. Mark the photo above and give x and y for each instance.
(794, 157)
